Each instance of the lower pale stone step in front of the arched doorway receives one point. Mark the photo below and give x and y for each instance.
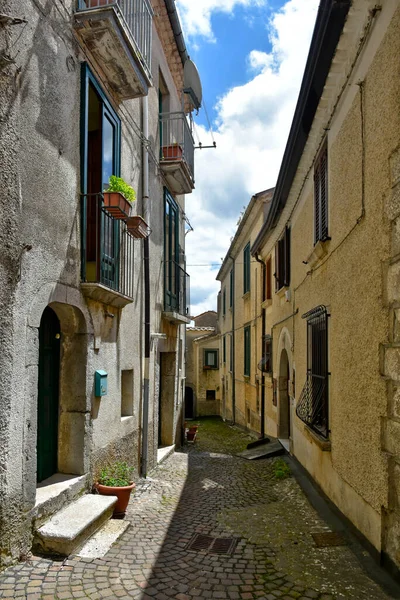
(70, 527)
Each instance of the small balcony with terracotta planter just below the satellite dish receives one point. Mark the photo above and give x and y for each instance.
(177, 152)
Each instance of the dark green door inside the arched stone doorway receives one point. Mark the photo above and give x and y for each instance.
(48, 388)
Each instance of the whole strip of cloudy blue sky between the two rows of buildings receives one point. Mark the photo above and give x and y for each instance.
(251, 56)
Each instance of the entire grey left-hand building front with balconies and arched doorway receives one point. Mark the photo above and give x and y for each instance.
(82, 84)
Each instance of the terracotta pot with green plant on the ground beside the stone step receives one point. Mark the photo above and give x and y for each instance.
(116, 480)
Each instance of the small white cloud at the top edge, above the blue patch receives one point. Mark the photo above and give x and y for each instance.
(196, 14)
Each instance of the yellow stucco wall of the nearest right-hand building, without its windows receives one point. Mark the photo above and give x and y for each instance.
(345, 274)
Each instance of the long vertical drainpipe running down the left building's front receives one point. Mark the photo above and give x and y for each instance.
(146, 266)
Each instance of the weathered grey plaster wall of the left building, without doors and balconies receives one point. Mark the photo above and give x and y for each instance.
(40, 104)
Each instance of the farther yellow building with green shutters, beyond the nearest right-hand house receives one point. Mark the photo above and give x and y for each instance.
(239, 320)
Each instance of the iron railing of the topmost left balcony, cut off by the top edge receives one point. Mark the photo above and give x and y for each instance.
(137, 16)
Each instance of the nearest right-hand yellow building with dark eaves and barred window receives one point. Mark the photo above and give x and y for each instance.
(331, 353)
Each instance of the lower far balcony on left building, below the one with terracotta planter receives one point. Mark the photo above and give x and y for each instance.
(177, 294)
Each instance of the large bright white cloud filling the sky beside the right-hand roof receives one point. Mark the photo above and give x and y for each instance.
(251, 132)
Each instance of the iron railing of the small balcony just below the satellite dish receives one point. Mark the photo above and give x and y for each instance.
(176, 140)
